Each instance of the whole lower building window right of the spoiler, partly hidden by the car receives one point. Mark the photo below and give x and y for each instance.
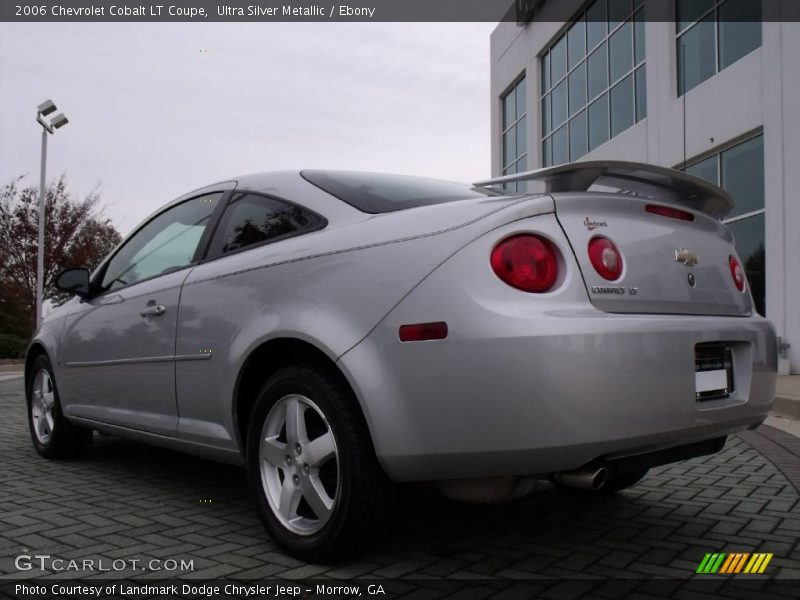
(739, 169)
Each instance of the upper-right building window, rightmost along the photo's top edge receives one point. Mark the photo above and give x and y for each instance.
(712, 35)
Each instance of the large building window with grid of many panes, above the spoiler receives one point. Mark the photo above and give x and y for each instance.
(594, 82)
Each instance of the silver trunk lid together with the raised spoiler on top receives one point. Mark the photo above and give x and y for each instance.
(671, 266)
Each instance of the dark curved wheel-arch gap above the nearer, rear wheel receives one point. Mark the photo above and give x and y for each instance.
(265, 360)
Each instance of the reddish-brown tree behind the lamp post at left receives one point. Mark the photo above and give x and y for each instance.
(76, 235)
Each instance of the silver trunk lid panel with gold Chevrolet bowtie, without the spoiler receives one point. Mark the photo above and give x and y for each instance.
(671, 266)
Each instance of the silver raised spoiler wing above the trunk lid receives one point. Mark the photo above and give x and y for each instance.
(659, 183)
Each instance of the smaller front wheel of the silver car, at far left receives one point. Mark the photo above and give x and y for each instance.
(53, 436)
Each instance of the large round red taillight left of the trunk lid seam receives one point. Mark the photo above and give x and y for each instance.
(526, 262)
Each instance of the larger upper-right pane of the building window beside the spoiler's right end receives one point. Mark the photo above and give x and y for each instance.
(743, 175)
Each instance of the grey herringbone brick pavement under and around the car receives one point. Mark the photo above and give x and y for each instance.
(125, 500)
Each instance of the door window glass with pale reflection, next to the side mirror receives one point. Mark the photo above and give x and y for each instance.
(167, 243)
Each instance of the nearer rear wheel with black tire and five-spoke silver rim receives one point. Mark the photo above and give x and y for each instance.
(319, 489)
